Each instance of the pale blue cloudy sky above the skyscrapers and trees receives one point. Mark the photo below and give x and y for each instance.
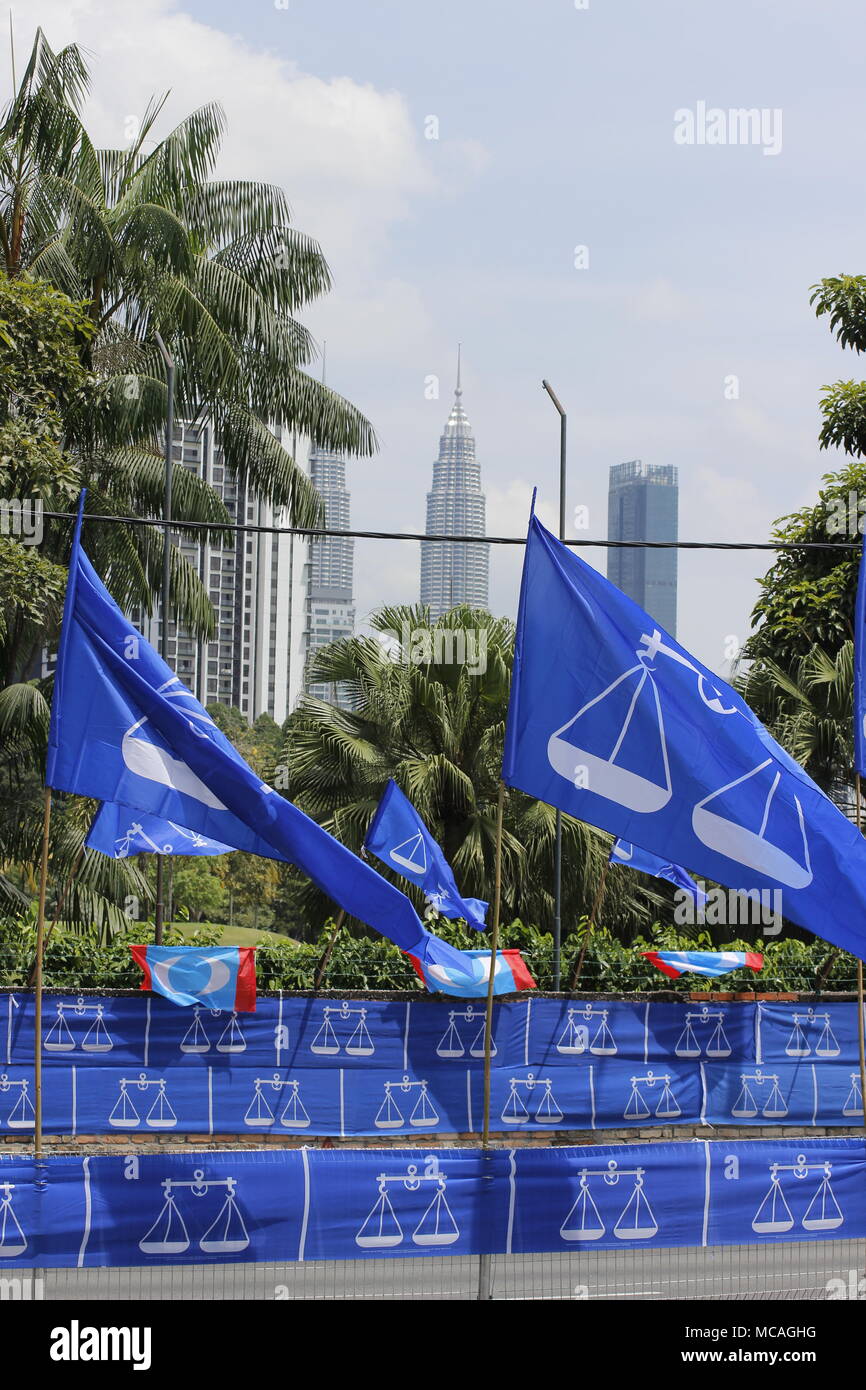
(530, 180)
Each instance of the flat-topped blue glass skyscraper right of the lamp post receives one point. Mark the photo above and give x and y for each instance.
(643, 505)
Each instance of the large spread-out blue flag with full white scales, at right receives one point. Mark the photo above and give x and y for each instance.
(619, 726)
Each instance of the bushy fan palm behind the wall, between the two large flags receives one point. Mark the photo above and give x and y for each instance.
(439, 730)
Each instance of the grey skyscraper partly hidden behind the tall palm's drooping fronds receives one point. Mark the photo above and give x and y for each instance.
(330, 604)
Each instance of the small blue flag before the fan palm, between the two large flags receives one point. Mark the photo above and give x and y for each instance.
(401, 840)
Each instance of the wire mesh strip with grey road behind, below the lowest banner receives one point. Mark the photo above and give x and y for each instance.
(812, 1271)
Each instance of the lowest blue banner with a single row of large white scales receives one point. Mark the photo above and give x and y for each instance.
(287, 1206)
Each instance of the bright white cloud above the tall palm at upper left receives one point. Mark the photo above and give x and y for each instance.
(348, 155)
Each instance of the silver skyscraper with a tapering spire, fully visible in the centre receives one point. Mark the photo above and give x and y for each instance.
(455, 573)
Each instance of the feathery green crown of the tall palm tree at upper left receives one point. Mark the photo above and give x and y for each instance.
(154, 244)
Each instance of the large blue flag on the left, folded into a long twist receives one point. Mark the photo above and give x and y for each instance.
(126, 730)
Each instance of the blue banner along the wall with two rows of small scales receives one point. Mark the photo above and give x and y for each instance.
(320, 1067)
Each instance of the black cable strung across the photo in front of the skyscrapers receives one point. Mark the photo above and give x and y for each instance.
(325, 534)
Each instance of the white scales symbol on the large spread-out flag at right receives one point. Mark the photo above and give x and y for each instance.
(605, 776)
